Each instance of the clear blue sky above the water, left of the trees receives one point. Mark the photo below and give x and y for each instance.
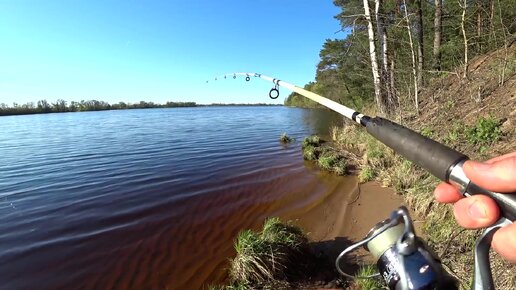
(134, 50)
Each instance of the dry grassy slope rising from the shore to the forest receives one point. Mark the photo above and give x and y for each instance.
(475, 116)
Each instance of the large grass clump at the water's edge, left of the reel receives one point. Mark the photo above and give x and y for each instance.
(269, 258)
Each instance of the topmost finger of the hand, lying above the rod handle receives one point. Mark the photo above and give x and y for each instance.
(499, 176)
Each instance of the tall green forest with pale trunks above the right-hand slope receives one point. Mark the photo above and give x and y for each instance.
(393, 49)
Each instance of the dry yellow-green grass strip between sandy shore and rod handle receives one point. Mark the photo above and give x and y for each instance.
(380, 163)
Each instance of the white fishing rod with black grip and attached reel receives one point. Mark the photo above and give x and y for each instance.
(395, 236)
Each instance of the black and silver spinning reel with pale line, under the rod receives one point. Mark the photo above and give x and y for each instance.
(405, 261)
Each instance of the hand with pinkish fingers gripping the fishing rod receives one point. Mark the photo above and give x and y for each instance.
(479, 211)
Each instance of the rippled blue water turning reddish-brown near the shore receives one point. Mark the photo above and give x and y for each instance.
(146, 199)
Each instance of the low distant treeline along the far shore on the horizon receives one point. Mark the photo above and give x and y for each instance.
(62, 106)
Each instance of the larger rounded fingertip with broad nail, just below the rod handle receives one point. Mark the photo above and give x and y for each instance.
(477, 211)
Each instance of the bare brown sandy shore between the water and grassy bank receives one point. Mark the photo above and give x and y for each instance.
(342, 217)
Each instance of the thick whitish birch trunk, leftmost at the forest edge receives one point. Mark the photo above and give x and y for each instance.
(374, 63)
